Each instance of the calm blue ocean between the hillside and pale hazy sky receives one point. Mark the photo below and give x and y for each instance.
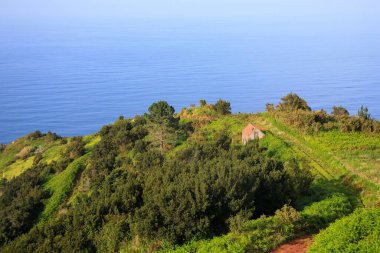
(73, 79)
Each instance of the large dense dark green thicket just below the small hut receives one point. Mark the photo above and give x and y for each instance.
(195, 194)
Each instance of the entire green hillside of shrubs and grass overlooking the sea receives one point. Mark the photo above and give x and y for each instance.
(183, 182)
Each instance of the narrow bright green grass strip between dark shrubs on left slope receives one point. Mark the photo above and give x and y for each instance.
(61, 185)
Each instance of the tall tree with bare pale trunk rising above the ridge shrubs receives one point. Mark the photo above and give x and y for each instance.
(162, 124)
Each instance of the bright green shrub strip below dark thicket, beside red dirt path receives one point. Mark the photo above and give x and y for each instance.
(266, 233)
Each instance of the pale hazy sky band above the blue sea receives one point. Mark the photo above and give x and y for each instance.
(350, 14)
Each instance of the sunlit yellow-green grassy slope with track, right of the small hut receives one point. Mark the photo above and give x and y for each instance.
(348, 156)
